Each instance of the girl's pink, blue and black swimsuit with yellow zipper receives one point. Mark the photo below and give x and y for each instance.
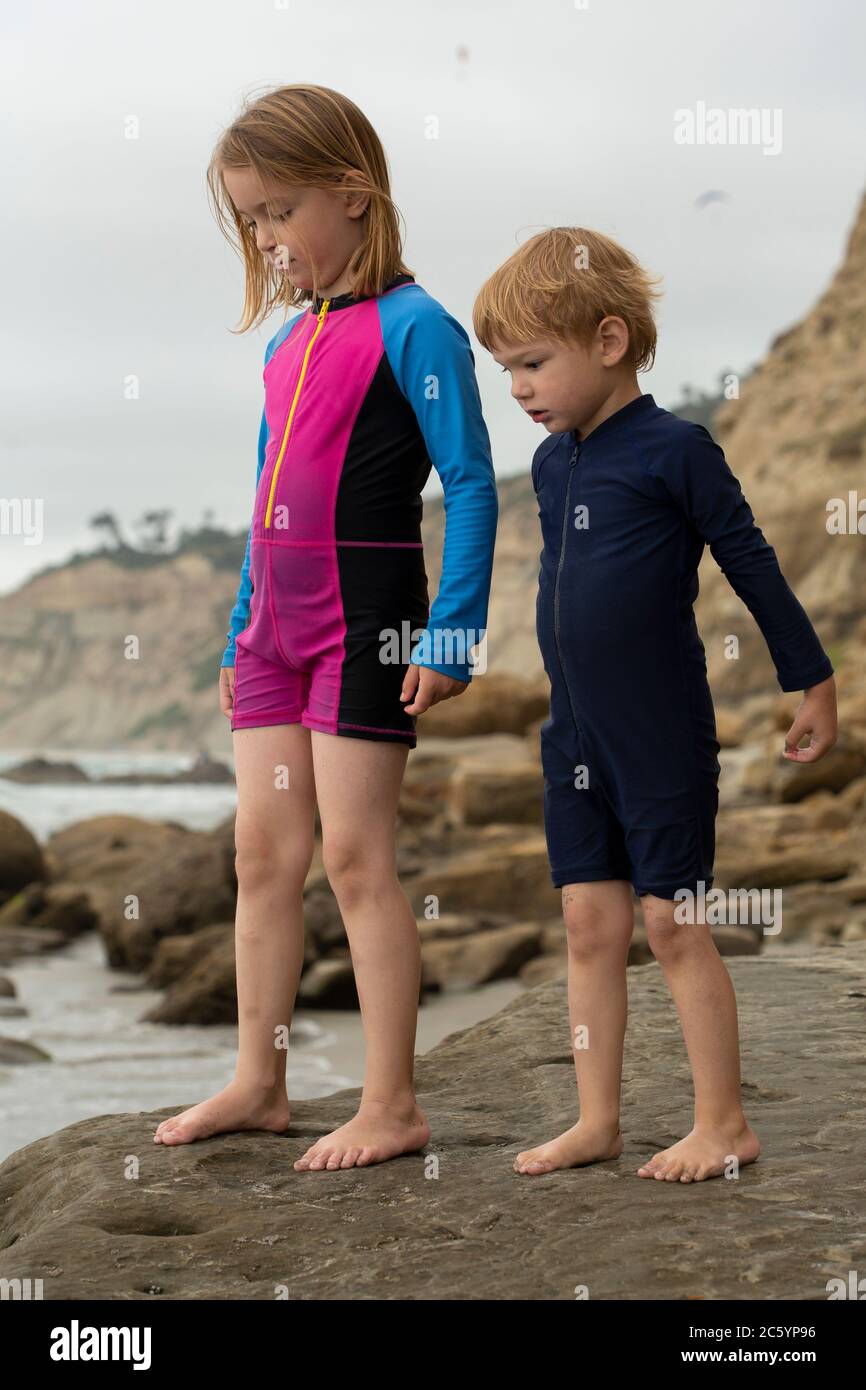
(361, 398)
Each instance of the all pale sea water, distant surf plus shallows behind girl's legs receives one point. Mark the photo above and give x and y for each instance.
(104, 1058)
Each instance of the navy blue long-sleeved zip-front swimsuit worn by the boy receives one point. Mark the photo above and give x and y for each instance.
(630, 750)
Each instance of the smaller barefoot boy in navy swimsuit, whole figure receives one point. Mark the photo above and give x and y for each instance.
(628, 497)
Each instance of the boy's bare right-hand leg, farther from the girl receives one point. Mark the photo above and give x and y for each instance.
(705, 1001)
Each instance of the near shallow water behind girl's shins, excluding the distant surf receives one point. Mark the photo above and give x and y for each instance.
(105, 1061)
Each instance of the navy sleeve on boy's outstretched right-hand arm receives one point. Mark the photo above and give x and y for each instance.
(697, 476)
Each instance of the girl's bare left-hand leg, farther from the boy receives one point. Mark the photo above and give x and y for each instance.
(275, 835)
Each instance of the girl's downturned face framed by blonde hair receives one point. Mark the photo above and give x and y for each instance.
(313, 229)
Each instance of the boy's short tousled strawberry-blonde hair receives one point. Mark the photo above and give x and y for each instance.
(559, 286)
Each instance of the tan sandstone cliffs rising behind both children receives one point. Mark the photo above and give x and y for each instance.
(796, 439)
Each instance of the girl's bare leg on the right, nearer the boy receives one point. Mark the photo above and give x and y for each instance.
(358, 785)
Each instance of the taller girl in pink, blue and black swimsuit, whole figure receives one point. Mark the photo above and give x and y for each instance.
(363, 390)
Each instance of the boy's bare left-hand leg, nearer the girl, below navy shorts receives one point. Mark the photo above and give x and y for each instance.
(600, 922)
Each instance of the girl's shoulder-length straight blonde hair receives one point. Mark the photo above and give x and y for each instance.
(311, 136)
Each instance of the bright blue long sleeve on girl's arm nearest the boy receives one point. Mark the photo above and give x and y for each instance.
(434, 368)
